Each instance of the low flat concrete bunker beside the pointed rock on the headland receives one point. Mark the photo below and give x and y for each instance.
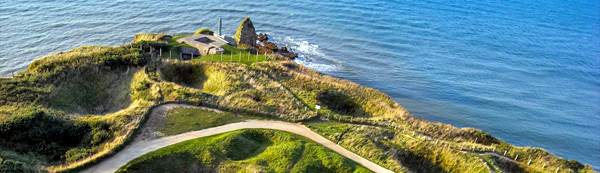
(206, 44)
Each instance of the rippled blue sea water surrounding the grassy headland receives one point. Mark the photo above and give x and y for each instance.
(527, 72)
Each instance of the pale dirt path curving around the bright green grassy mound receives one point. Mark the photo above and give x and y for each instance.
(144, 145)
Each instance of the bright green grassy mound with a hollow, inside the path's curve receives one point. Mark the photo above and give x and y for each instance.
(244, 151)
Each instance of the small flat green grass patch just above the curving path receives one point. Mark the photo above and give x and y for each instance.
(181, 120)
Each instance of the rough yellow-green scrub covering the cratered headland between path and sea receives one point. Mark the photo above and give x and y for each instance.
(71, 109)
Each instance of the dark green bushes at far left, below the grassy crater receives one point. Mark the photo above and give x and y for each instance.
(34, 130)
